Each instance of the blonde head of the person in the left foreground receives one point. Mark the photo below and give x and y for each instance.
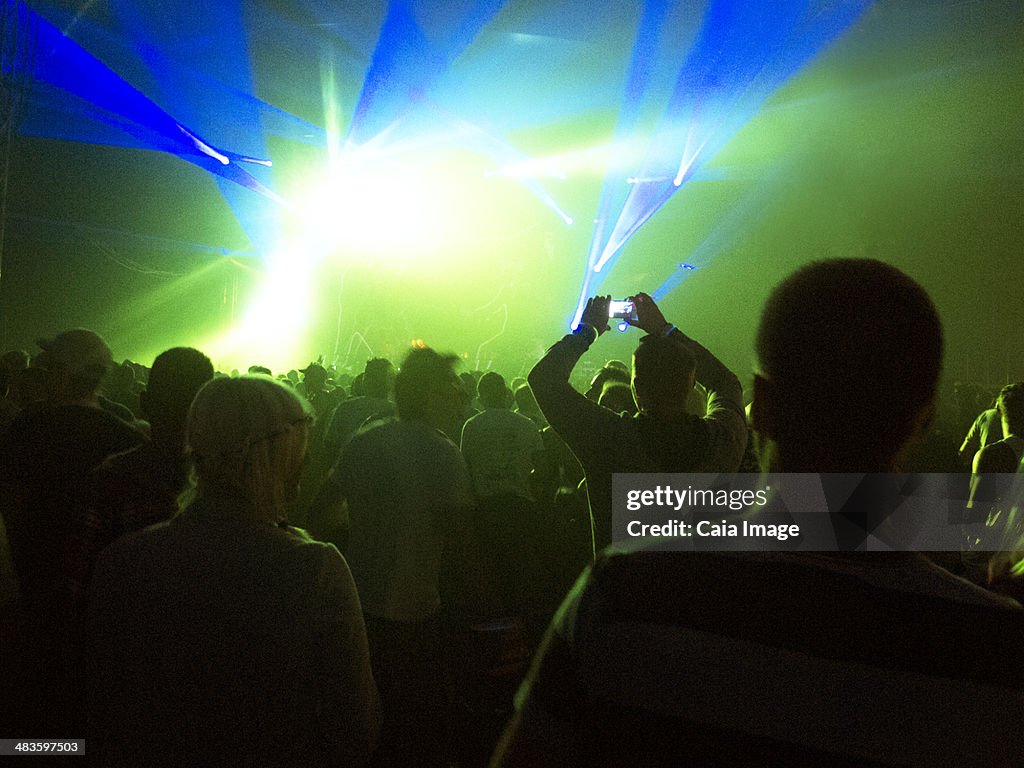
(247, 438)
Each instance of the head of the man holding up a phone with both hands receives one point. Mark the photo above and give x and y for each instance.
(664, 370)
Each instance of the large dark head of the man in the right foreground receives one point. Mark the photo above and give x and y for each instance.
(849, 356)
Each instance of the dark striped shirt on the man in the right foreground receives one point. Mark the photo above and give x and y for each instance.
(775, 660)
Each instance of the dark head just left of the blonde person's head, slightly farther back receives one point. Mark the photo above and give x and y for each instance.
(177, 376)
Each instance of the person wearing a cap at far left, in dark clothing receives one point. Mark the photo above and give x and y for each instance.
(46, 460)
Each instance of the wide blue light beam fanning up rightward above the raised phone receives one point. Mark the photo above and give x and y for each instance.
(742, 55)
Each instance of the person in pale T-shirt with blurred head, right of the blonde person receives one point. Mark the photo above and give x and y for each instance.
(407, 491)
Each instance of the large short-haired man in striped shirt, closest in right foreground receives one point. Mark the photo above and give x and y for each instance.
(792, 659)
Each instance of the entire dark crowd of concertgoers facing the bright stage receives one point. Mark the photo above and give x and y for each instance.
(413, 566)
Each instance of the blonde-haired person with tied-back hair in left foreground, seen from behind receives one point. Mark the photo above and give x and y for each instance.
(225, 636)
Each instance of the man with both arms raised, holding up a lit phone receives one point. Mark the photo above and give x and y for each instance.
(663, 437)
